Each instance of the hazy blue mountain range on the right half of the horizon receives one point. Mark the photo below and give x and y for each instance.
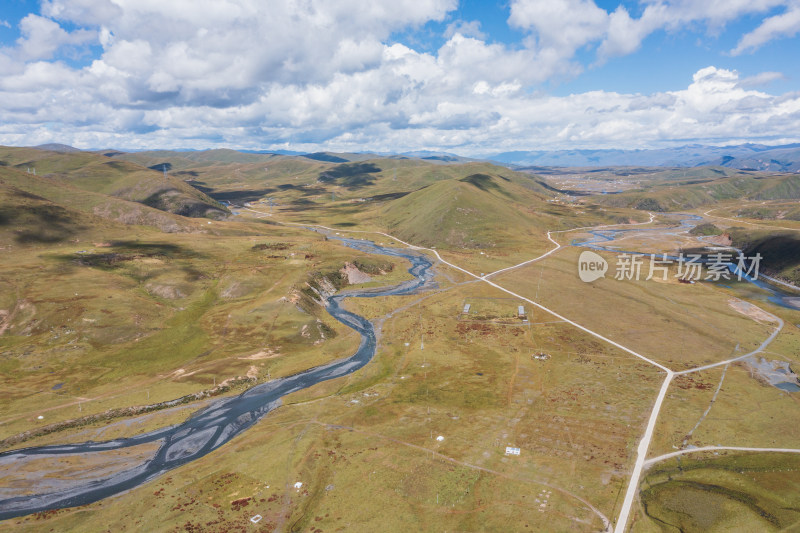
(785, 158)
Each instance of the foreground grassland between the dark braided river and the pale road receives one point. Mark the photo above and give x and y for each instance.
(371, 437)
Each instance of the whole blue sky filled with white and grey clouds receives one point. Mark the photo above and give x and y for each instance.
(467, 77)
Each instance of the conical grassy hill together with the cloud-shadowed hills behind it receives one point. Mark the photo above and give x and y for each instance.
(472, 205)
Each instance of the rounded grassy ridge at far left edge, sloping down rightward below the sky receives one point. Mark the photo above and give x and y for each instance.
(99, 174)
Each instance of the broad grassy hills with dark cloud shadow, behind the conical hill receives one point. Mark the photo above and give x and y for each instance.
(237, 177)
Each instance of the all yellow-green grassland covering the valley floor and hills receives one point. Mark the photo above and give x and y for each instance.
(107, 302)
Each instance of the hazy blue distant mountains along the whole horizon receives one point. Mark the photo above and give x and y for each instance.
(784, 158)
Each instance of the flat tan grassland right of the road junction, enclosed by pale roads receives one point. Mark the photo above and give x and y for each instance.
(678, 325)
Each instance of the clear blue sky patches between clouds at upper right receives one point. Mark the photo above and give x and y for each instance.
(664, 62)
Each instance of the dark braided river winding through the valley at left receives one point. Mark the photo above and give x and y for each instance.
(212, 427)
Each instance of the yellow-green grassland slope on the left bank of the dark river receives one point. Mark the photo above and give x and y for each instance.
(115, 315)
